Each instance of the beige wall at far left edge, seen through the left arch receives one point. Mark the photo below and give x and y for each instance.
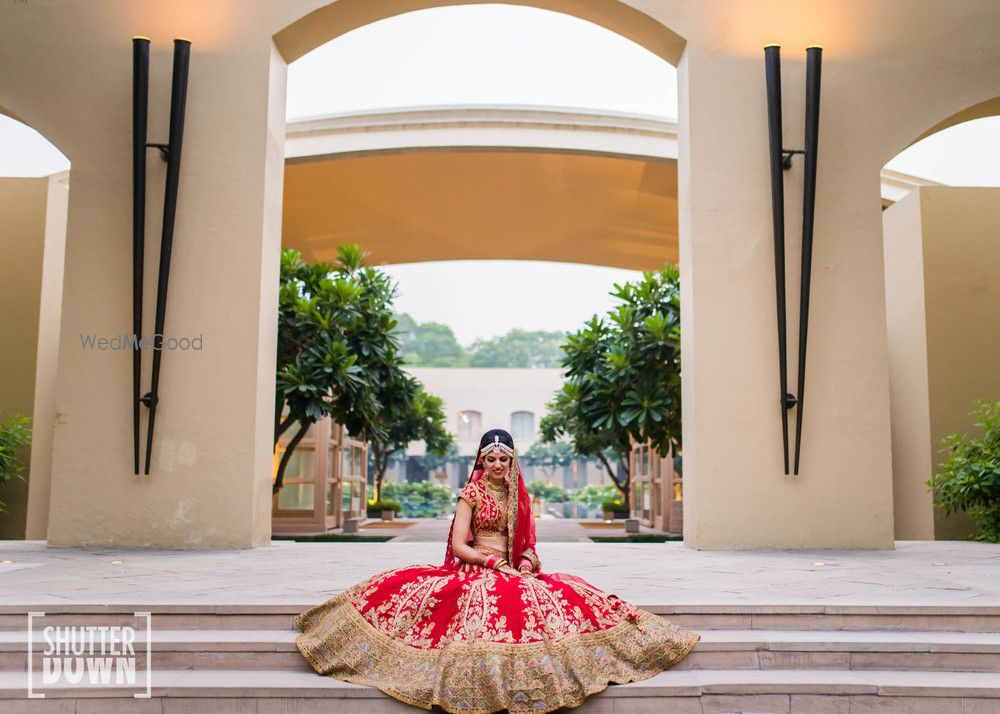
(32, 235)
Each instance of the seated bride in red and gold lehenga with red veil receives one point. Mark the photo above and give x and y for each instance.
(487, 630)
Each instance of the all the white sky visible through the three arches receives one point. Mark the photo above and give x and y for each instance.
(499, 54)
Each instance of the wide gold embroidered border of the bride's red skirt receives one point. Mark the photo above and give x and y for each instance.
(341, 643)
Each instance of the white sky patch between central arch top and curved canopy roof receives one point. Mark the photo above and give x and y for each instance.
(484, 54)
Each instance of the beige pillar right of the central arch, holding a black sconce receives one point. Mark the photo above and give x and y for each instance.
(736, 495)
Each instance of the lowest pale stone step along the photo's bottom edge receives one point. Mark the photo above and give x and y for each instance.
(675, 691)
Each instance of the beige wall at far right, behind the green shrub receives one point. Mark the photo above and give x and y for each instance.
(943, 259)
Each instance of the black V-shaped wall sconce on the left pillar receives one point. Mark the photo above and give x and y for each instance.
(171, 153)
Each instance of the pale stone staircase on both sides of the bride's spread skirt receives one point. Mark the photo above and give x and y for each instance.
(778, 658)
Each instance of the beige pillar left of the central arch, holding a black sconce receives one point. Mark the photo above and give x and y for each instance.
(209, 485)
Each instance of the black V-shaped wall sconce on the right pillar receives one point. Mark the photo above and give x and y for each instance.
(781, 160)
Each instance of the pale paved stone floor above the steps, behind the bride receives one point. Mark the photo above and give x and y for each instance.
(944, 573)
